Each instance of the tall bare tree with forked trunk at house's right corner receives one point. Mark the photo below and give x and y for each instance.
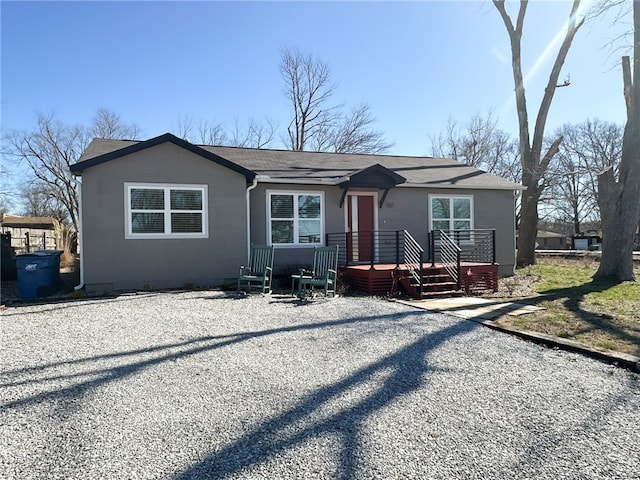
(534, 162)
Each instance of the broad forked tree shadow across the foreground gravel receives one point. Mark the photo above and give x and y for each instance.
(408, 367)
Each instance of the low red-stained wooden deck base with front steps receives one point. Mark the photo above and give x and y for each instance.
(386, 279)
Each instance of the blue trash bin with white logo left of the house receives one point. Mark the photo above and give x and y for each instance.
(37, 274)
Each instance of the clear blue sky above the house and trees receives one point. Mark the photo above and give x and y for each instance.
(414, 63)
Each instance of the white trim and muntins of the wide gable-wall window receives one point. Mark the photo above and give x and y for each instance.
(128, 233)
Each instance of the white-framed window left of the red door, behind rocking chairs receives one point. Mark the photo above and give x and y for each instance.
(295, 218)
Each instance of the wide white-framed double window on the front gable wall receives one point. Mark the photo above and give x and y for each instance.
(165, 211)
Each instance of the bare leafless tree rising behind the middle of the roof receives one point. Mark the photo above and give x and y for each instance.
(317, 123)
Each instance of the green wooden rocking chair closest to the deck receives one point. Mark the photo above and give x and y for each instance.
(323, 276)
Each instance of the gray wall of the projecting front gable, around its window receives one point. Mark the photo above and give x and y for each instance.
(113, 262)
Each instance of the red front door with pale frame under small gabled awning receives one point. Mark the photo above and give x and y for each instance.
(360, 223)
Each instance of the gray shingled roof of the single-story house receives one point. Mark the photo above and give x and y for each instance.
(320, 167)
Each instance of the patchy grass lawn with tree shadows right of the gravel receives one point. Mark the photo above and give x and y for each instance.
(595, 314)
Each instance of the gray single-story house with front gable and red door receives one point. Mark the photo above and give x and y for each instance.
(165, 213)
